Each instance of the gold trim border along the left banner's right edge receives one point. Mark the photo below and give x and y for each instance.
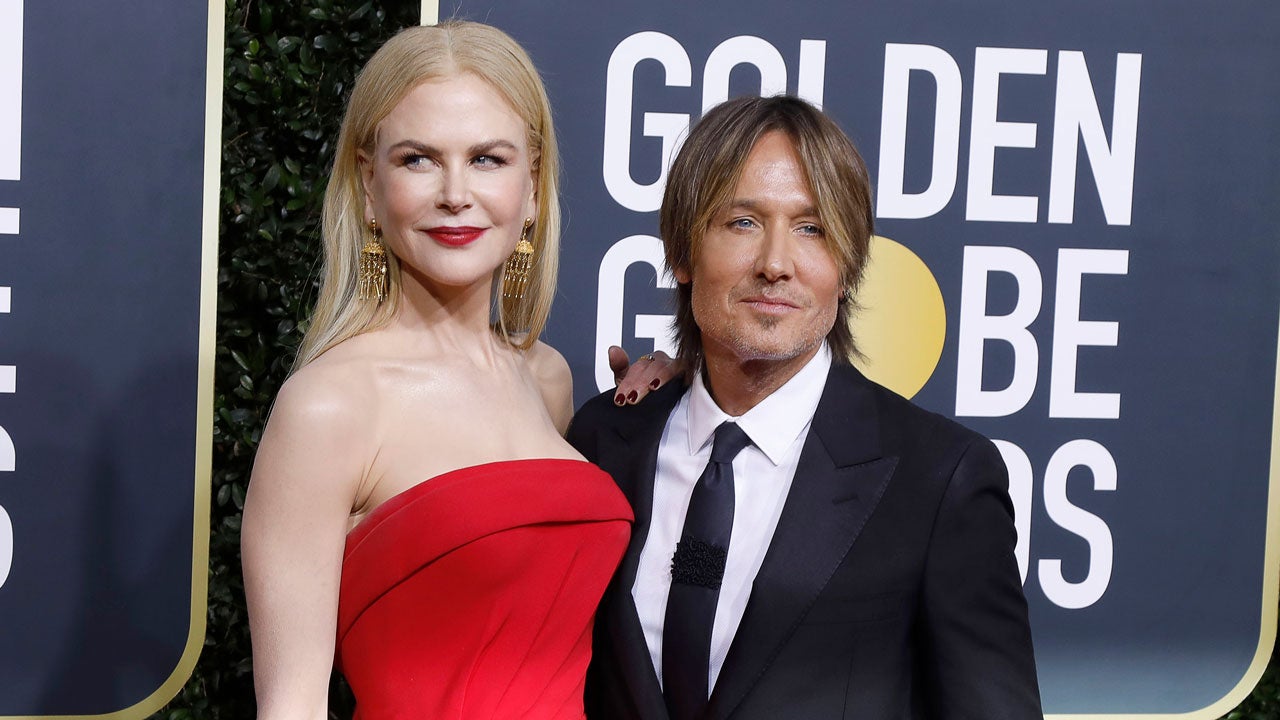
(204, 391)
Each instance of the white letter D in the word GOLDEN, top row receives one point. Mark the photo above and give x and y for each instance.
(899, 62)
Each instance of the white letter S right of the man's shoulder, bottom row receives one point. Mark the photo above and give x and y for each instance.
(1087, 526)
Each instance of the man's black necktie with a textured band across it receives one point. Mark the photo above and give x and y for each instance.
(697, 571)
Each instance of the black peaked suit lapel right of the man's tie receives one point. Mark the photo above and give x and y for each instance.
(838, 485)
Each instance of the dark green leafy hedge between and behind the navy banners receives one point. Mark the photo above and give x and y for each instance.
(289, 72)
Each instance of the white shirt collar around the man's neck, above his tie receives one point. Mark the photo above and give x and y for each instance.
(776, 422)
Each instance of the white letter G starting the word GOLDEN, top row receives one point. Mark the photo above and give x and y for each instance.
(619, 95)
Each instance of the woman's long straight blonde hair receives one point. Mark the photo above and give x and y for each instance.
(414, 57)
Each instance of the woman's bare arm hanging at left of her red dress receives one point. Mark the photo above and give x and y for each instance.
(296, 517)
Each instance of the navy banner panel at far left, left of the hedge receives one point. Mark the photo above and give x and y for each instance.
(109, 139)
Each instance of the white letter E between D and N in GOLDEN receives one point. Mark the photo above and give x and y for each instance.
(988, 134)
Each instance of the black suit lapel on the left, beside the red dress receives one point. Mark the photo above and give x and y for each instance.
(629, 452)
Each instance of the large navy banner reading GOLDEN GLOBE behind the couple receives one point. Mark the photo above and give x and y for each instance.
(1078, 256)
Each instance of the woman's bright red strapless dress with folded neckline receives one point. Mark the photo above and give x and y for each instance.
(472, 595)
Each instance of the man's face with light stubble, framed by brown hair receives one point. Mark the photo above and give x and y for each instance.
(765, 288)
